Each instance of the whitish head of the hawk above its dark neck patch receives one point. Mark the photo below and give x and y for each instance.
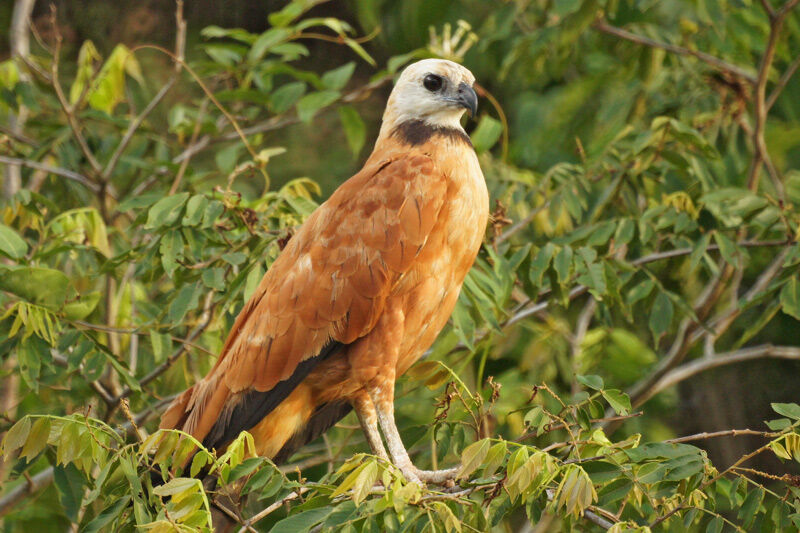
(435, 91)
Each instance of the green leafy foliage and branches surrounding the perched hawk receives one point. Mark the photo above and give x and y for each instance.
(638, 284)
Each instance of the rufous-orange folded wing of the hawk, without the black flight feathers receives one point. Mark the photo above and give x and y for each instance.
(329, 285)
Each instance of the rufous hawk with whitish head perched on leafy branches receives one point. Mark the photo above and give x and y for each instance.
(360, 291)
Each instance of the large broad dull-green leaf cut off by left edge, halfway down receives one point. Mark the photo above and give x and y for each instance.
(38, 285)
